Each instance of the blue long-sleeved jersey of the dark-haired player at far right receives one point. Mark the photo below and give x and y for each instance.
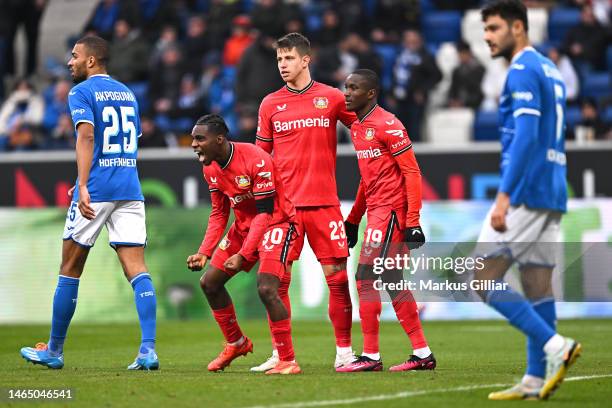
(536, 178)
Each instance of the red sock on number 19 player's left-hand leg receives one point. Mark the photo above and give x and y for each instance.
(369, 312)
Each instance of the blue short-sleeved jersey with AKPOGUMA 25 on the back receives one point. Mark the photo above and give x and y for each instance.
(111, 108)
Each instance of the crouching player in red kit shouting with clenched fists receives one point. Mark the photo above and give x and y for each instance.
(243, 177)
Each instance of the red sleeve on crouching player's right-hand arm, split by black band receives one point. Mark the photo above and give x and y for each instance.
(263, 188)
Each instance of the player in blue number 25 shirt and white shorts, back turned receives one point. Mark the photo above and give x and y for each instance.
(107, 193)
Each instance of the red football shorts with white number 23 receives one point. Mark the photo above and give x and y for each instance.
(324, 227)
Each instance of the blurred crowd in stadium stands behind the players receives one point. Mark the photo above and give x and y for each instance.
(184, 58)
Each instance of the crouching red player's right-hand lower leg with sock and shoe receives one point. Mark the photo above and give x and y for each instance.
(267, 288)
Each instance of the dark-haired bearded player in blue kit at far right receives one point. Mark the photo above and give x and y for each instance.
(523, 224)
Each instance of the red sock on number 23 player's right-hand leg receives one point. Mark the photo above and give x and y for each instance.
(340, 307)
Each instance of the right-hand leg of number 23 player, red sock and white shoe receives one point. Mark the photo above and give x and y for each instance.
(340, 308)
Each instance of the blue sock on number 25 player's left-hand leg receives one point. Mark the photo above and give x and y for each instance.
(64, 304)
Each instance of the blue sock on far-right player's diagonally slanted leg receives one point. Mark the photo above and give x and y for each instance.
(521, 314)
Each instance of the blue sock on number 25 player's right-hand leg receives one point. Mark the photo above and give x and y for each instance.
(146, 304)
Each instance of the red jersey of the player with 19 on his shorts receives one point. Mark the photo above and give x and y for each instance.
(378, 138)
